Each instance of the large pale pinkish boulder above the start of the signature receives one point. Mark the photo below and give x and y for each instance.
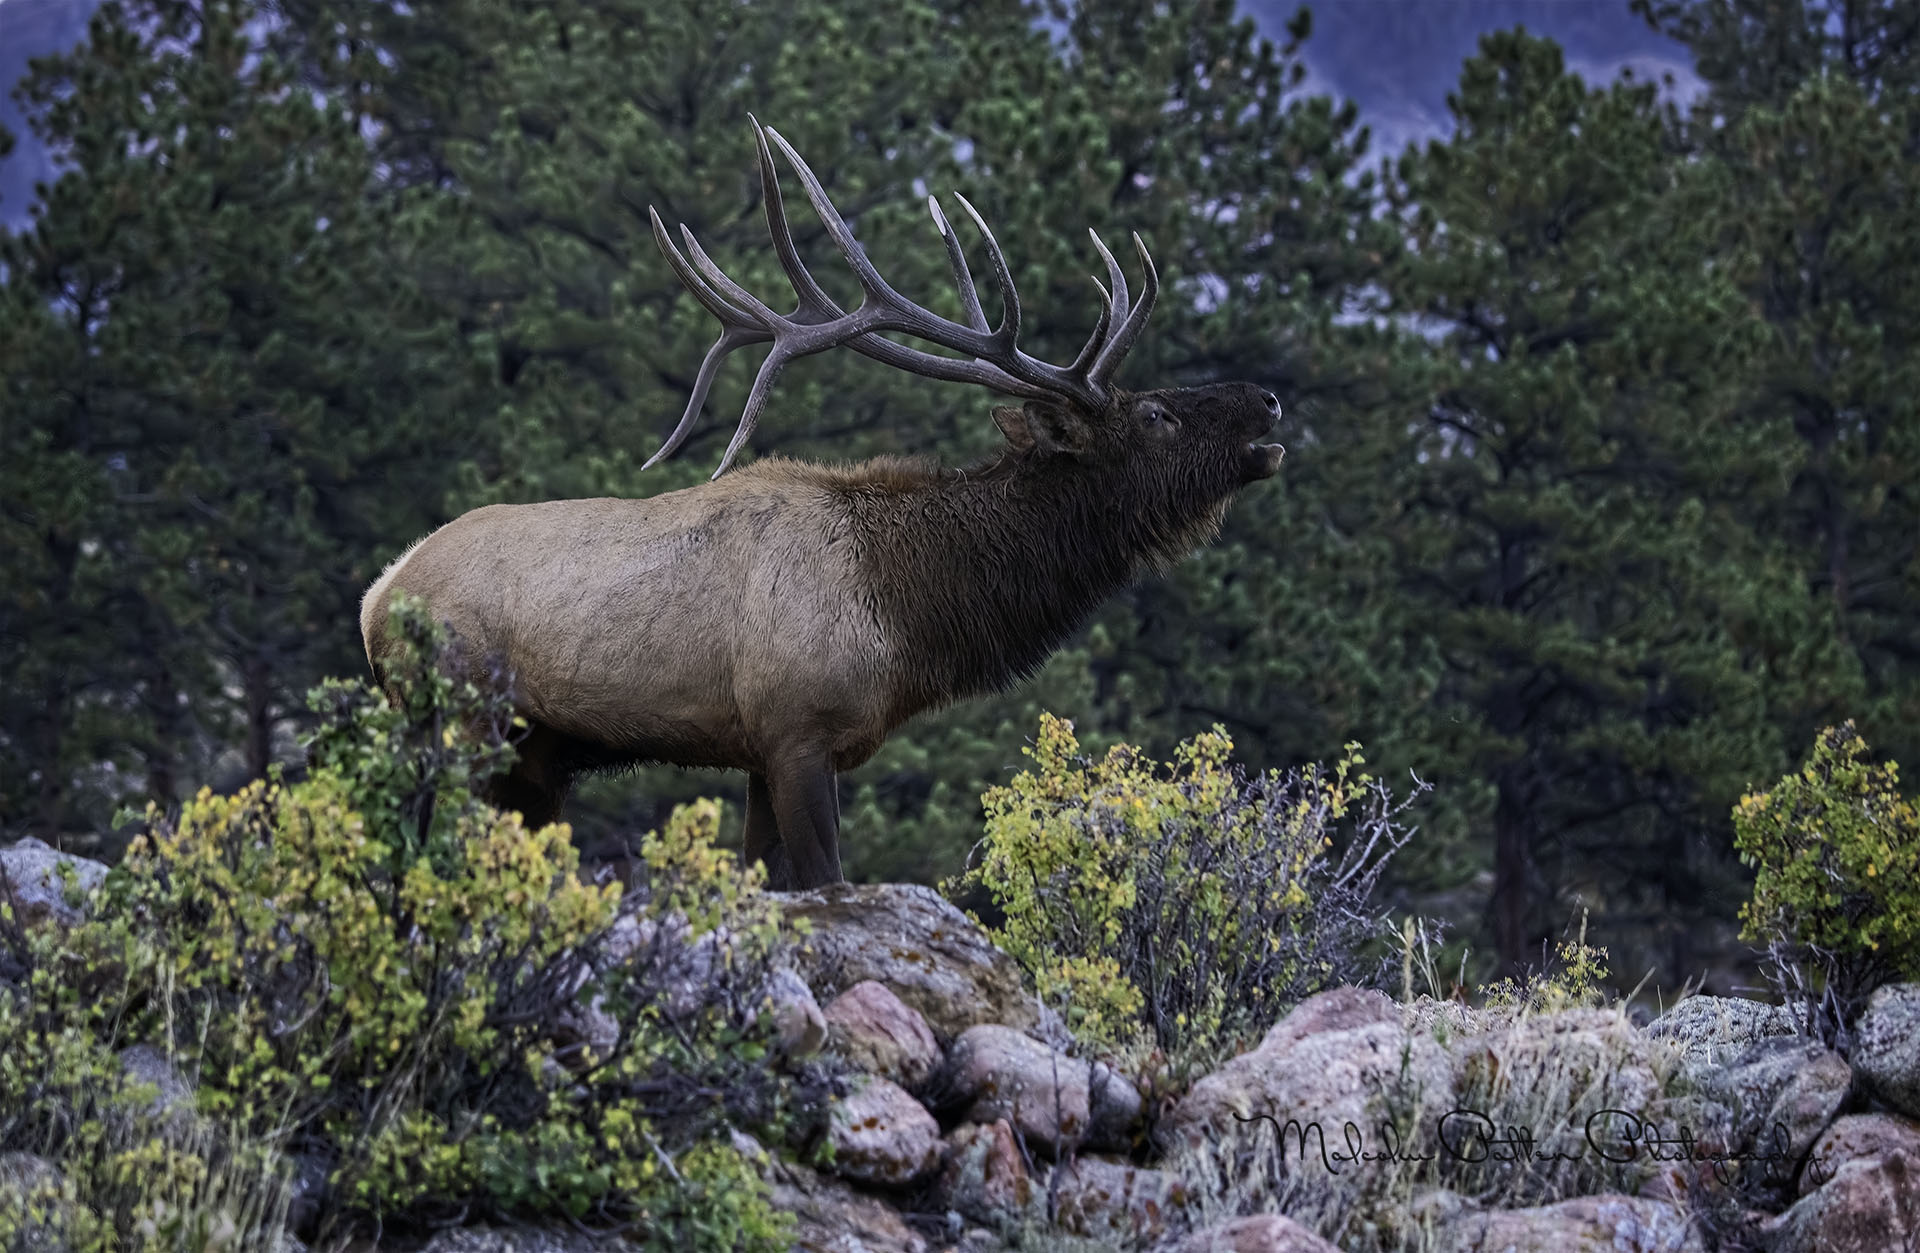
(1335, 1060)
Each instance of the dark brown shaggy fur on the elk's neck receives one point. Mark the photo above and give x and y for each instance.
(980, 575)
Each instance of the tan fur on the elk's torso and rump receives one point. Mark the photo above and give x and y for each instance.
(696, 603)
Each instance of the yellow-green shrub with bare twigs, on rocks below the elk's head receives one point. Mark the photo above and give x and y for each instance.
(1184, 899)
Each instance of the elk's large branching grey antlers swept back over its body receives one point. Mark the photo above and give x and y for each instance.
(819, 323)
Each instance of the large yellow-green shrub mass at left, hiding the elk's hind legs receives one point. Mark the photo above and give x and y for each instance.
(383, 974)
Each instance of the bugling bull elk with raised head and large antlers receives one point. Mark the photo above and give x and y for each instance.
(788, 617)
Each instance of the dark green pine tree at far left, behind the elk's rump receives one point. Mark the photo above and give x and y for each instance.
(229, 402)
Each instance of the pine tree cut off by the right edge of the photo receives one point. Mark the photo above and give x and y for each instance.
(1813, 130)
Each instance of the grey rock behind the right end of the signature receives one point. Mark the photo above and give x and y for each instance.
(1783, 1095)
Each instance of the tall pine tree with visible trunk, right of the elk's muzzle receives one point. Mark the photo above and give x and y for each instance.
(1573, 536)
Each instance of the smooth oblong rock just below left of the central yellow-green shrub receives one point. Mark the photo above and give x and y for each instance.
(1049, 1099)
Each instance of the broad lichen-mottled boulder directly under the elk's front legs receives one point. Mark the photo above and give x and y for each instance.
(919, 945)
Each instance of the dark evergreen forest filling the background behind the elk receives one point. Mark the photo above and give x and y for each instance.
(1602, 490)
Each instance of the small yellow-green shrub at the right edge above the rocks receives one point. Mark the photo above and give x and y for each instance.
(1836, 895)
